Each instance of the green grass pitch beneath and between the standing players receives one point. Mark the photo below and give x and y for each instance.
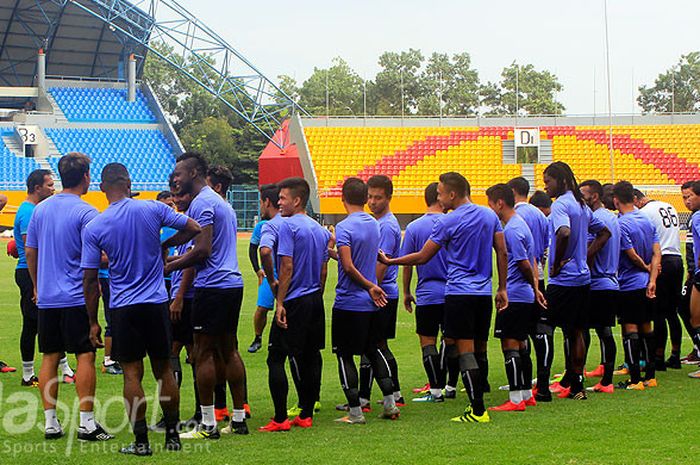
(655, 426)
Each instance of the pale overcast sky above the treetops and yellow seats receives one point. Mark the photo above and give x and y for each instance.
(566, 37)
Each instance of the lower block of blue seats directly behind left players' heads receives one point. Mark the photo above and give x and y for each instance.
(146, 153)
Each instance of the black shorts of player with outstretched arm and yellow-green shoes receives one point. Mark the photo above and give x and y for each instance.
(467, 317)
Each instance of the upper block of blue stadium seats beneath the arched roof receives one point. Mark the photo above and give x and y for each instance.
(88, 104)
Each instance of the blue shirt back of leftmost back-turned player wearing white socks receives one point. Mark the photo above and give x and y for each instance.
(55, 229)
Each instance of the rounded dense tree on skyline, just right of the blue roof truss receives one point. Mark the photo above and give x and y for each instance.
(339, 86)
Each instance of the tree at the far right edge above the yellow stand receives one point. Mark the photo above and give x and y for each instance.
(677, 89)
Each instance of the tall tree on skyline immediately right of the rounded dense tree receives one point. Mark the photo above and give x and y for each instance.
(397, 86)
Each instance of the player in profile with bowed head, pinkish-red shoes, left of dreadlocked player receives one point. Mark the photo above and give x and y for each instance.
(514, 321)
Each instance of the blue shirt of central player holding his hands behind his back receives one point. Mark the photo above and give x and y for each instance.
(360, 232)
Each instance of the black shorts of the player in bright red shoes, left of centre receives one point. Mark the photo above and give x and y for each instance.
(306, 326)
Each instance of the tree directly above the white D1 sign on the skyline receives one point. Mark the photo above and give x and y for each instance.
(523, 90)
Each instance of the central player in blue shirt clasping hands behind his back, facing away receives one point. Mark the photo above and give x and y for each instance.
(356, 323)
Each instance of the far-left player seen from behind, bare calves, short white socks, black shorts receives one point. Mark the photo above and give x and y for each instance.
(53, 247)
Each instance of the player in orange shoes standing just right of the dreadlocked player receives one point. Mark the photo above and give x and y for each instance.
(604, 287)
